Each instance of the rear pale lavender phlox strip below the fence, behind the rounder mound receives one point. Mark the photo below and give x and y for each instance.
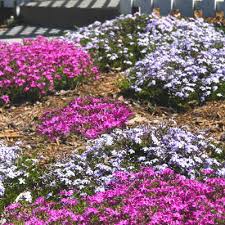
(121, 42)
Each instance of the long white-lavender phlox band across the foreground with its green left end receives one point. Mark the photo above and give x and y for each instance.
(123, 150)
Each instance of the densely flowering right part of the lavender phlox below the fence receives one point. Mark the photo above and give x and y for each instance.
(188, 67)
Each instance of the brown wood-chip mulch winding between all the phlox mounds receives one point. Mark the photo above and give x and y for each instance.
(18, 123)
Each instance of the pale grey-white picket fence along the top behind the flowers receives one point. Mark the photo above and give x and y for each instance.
(186, 7)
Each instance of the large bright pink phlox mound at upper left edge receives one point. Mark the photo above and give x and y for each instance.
(39, 66)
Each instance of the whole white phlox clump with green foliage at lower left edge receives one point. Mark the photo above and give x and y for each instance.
(18, 176)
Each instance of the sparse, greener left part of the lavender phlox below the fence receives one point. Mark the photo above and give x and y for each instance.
(117, 43)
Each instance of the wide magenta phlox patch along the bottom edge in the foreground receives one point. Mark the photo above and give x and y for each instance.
(145, 197)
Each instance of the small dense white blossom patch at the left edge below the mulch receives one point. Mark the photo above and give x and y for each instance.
(8, 168)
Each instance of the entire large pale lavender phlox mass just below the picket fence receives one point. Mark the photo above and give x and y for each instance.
(177, 62)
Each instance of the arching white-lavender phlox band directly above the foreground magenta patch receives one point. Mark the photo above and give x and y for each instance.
(127, 150)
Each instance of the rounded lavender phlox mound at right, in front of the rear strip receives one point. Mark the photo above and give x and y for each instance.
(179, 75)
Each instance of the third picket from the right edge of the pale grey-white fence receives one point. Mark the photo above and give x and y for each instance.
(186, 7)
